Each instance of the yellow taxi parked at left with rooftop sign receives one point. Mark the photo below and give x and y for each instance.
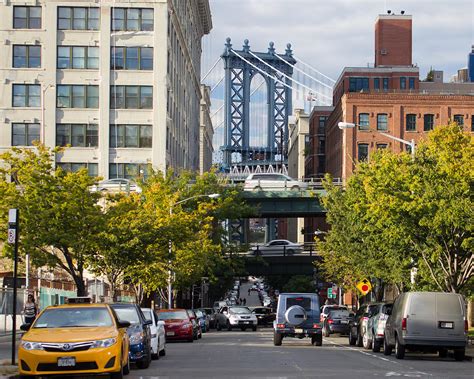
(75, 338)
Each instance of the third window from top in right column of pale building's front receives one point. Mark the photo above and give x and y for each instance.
(131, 97)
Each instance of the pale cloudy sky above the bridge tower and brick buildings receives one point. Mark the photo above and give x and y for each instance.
(332, 34)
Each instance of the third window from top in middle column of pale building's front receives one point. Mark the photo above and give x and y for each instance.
(77, 96)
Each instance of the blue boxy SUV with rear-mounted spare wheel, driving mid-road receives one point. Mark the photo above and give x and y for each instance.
(297, 316)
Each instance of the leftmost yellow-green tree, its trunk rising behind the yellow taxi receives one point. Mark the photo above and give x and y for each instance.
(59, 217)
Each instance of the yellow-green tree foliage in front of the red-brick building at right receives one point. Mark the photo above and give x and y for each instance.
(396, 214)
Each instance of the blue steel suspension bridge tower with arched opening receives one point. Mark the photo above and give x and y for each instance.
(240, 68)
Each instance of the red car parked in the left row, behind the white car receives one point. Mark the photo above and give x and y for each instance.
(178, 325)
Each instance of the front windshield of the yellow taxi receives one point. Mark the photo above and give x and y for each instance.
(74, 317)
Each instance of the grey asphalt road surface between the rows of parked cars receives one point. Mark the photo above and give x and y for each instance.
(240, 354)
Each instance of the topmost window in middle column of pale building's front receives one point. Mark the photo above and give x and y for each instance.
(78, 18)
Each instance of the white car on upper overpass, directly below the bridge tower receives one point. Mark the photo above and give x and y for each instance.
(272, 182)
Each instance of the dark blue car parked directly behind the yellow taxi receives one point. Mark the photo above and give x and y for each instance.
(138, 332)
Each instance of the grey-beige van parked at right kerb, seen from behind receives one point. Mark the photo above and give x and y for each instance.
(428, 321)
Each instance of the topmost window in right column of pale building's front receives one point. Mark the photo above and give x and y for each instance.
(132, 19)
